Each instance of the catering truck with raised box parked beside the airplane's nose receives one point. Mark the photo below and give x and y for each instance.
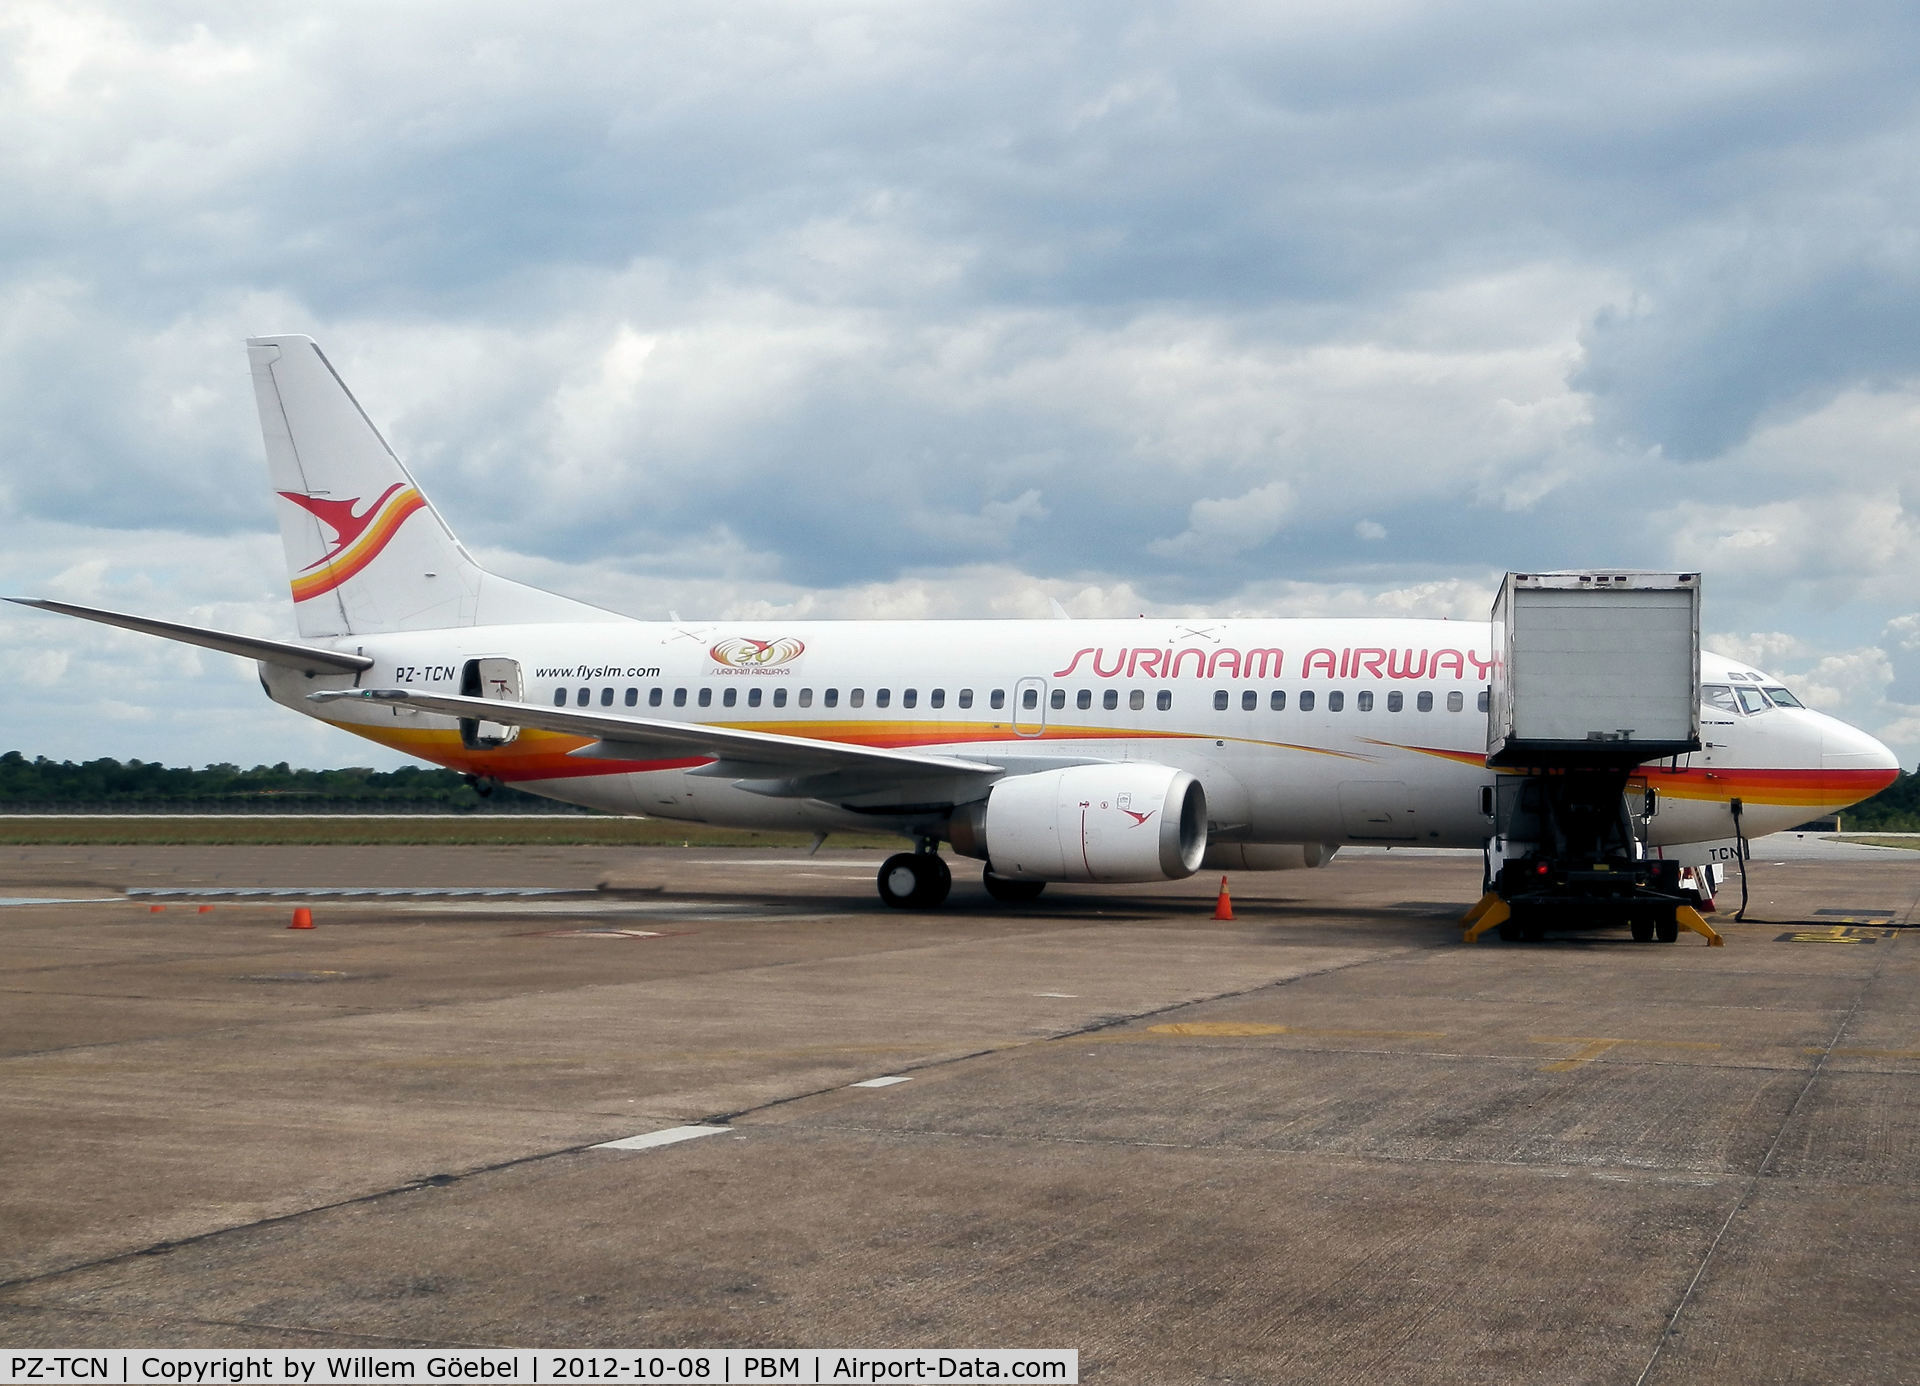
(1595, 677)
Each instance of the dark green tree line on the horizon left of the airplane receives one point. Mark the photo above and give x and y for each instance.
(145, 786)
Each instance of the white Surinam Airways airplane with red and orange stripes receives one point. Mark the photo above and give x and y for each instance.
(1067, 752)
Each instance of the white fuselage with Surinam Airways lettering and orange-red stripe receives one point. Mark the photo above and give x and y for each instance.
(1301, 730)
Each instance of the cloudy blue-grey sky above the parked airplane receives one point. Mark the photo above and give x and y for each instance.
(955, 310)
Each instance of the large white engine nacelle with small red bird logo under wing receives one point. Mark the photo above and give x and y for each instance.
(1130, 823)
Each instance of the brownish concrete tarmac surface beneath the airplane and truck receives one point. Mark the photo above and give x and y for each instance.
(1320, 1143)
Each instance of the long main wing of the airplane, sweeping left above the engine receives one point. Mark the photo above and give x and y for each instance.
(779, 765)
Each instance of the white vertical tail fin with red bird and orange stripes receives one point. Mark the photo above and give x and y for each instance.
(366, 550)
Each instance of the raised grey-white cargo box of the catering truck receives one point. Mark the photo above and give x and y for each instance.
(1595, 669)
